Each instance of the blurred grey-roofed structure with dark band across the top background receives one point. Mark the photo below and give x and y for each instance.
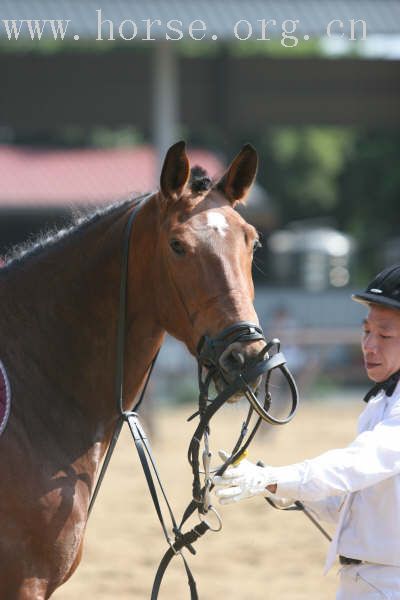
(139, 78)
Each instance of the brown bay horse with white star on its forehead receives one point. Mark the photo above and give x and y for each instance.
(189, 265)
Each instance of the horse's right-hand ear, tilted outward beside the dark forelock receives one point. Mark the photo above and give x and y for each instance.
(237, 180)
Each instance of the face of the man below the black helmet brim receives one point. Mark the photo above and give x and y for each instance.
(381, 342)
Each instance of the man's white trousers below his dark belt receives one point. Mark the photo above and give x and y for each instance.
(369, 582)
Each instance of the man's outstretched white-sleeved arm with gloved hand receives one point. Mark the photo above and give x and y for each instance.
(372, 457)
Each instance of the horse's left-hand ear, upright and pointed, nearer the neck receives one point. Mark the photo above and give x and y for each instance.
(175, 172)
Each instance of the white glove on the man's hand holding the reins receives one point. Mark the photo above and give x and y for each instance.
(242, 481)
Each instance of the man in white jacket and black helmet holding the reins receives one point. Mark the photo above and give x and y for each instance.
(357, 487)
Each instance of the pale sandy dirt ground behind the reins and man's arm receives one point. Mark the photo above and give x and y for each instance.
(260, 553)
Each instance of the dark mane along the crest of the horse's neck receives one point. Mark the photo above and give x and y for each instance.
(78, 220)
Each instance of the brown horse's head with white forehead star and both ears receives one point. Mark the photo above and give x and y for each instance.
(205, 250)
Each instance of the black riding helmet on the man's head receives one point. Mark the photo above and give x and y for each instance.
(384, 289)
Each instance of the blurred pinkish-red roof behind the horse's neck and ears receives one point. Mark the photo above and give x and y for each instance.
(31, 177)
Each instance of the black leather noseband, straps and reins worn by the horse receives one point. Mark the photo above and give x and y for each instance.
(209, 352)
